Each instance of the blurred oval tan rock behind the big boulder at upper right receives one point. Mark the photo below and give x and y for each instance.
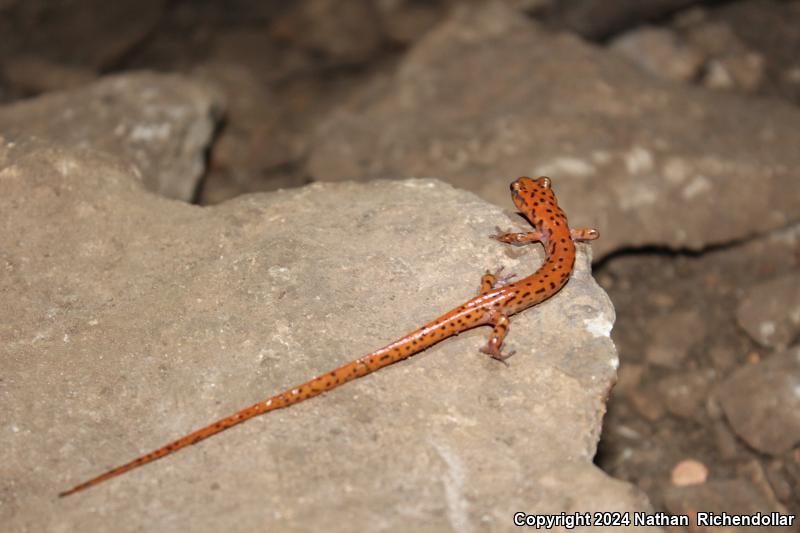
(660, 52)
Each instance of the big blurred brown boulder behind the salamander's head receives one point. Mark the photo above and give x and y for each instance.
(646, 161)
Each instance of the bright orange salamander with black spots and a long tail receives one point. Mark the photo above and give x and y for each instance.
(497, 300)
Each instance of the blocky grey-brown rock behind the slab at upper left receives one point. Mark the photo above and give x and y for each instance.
(161, 123)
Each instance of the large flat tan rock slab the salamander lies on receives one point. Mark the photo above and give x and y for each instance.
(130, 319)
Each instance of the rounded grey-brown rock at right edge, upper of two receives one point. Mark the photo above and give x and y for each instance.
(770, 311)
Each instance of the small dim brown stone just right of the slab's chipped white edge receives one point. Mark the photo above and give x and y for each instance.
(672, 336)
